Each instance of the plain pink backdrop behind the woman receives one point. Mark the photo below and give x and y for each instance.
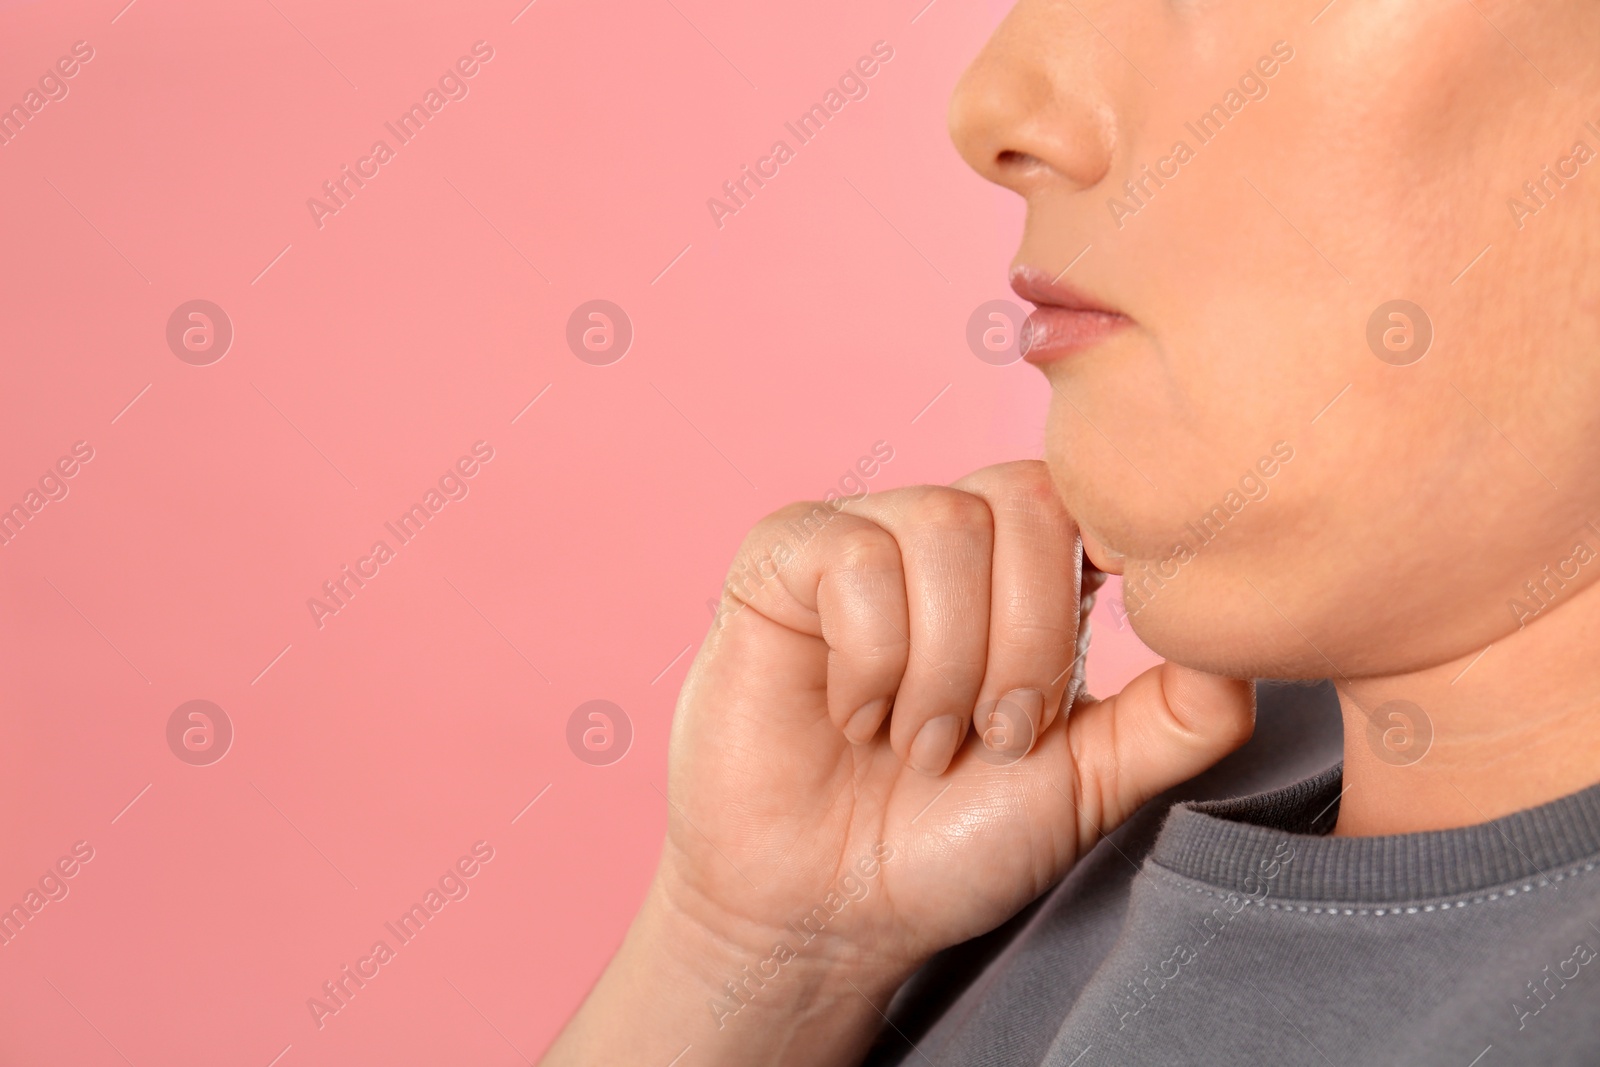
(369, 356)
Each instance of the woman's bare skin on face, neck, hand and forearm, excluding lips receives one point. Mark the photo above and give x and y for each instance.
(842, 714)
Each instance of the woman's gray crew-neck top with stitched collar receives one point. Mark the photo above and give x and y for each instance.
(1223, 925)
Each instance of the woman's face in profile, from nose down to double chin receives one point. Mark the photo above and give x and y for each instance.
(1255, 185)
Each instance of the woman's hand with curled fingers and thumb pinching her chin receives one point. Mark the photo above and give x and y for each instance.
(902, 679)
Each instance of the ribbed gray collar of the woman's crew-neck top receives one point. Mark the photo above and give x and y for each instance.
(1228, 842)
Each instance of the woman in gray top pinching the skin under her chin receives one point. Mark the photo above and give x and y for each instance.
(1318, 302)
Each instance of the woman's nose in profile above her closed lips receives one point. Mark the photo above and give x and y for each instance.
(1033, 111)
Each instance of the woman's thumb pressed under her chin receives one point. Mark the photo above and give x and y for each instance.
(1166, 727)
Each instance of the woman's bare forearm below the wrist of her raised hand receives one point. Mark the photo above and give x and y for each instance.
(678, 991)
